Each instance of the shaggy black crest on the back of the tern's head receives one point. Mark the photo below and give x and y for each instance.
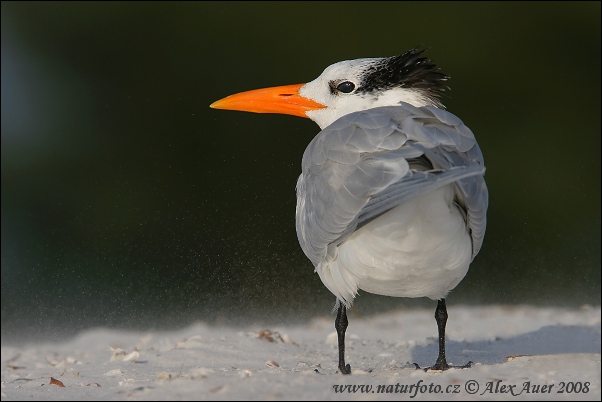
(408, 70)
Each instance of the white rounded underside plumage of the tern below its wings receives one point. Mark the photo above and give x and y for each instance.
(420, 248)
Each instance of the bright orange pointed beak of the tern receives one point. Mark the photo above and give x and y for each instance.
(283, 100)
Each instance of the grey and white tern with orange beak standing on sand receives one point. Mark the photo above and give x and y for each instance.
(391, 198)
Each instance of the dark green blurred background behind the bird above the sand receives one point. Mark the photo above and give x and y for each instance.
(128, 202)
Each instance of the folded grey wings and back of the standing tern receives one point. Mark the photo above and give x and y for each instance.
(368, 162)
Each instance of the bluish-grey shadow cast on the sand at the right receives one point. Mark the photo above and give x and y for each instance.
(546, 340)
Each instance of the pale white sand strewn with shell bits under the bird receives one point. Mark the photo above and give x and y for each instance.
(209, 362)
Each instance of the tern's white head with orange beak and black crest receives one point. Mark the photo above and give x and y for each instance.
(349, 86)
